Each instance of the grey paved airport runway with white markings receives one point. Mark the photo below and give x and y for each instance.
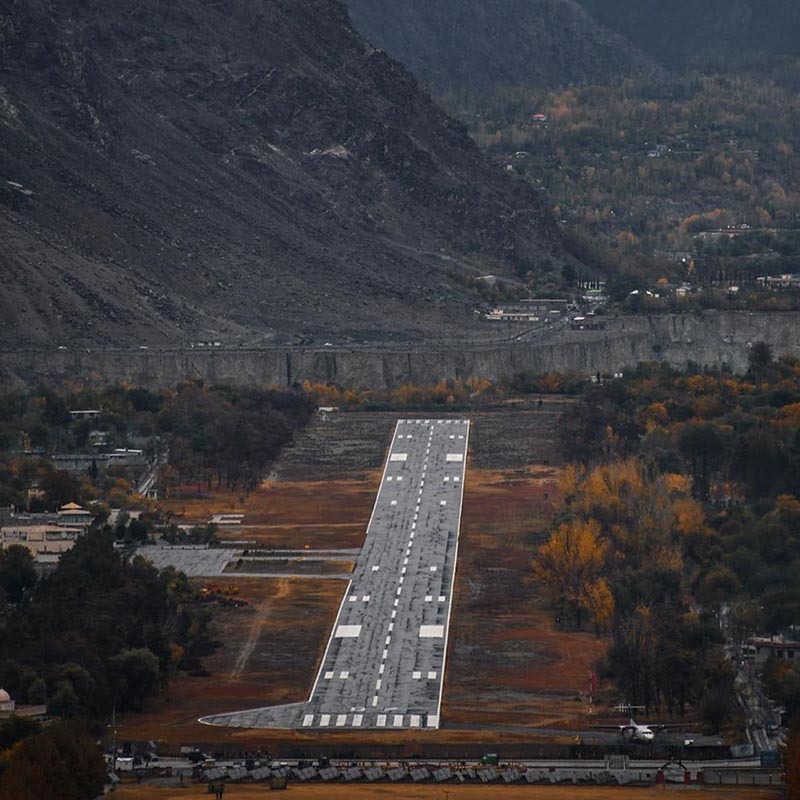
(385, 660)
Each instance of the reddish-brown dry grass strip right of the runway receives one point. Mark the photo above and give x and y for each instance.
(508, 666)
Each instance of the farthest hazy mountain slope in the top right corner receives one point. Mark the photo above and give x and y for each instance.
(717, 32)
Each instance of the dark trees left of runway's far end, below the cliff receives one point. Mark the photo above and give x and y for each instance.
(211, 434)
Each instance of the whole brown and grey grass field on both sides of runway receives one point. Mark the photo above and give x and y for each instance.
(507, 666)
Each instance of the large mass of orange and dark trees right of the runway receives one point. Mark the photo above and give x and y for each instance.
(684, 497)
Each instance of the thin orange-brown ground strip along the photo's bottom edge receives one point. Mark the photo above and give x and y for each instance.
(409, 792)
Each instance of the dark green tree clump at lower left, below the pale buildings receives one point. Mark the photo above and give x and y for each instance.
(99, 632)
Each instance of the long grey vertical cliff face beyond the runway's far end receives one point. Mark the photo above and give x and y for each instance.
(712, 339)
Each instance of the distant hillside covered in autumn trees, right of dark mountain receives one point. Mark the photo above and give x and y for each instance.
(695, 178)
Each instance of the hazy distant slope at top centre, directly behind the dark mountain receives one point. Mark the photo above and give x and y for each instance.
(481, 43)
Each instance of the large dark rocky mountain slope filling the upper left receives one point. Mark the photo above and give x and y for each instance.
(248, 170)
